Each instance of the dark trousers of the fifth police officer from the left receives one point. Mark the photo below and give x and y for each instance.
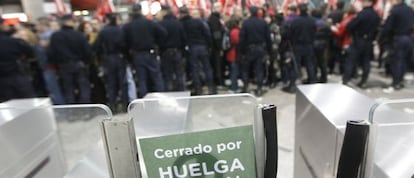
(173, 69)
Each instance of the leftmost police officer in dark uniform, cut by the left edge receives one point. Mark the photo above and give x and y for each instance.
(13, 82)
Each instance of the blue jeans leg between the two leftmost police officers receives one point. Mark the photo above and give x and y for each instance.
(53, 87)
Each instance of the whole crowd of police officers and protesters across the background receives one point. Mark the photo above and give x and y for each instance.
(76, 61)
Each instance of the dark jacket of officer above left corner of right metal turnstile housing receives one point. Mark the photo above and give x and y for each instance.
(303, 30)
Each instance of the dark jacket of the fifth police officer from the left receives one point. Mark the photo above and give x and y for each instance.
(176, 37)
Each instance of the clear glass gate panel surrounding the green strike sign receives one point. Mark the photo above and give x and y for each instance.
(163, 115)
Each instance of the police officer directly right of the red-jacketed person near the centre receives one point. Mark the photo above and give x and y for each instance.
(254, 42)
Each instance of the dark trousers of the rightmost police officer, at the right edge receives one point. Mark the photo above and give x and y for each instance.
(403, 55)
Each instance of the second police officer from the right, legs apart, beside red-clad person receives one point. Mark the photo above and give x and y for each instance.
(363, 29)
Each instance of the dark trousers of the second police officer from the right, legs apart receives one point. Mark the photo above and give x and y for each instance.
(360, 52)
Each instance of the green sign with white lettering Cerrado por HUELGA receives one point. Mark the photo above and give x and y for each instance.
(225, 153)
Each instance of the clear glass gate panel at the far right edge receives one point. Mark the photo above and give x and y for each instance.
(390, 148)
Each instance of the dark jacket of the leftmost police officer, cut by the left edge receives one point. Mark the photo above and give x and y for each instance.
(11, 51)
